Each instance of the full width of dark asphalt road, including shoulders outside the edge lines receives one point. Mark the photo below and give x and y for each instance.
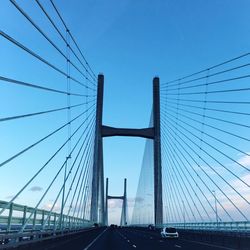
(120, 239)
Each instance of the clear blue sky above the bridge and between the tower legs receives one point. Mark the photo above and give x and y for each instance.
(130, 42)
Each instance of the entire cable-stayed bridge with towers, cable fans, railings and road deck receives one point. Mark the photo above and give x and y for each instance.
(195, 169)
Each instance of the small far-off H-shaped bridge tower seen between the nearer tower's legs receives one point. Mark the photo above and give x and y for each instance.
(124, 203)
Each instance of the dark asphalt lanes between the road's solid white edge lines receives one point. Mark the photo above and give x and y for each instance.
(129, 238)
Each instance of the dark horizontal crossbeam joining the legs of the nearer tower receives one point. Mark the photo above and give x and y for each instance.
(144, 132)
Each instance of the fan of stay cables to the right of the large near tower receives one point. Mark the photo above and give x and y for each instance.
(205, 123)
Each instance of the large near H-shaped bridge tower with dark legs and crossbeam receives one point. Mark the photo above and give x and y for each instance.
(97, 199)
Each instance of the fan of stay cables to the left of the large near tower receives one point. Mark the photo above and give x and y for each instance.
(54, 122)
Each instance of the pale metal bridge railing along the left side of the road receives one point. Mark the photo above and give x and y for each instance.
(15, 217)
